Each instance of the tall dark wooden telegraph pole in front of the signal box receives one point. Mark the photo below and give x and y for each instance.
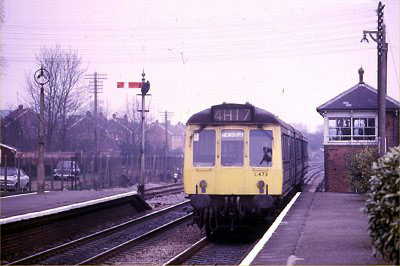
(382, 47)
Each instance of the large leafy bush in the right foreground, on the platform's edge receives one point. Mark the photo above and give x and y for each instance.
(383, 206)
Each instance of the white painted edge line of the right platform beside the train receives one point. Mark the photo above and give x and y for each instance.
(257, 248)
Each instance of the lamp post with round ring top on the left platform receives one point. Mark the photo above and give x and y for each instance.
(42, 77)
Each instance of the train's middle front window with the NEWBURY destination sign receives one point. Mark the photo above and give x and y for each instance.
(232, 147)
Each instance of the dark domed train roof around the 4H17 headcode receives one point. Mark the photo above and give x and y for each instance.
(258, 116)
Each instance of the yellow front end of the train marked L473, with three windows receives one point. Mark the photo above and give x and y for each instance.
(223, 169)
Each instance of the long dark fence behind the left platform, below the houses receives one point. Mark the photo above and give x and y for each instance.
(79, 173)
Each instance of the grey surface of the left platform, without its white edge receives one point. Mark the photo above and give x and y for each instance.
(11, 206)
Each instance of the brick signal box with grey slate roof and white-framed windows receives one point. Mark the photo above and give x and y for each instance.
(351, 123)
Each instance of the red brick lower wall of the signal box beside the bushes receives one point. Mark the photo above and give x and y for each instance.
(335, 167)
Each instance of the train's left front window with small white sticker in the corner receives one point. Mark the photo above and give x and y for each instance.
(204, 147)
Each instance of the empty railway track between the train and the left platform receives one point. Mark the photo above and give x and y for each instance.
(98, 246)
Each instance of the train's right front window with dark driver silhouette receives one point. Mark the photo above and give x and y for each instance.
(260, 148)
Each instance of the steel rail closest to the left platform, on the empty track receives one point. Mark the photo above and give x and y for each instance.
(58, 249)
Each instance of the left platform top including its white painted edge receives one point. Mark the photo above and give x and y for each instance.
(16, 206)
